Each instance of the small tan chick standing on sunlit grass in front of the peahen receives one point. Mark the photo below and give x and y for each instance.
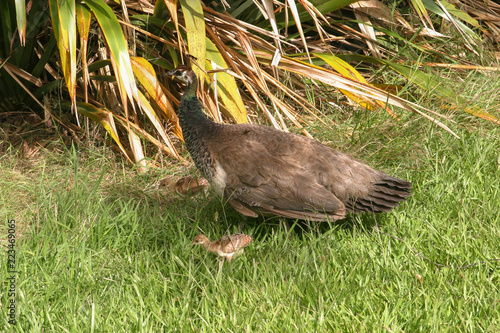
(226, 246)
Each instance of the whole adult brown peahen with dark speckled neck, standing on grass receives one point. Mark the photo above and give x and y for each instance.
(262, 170)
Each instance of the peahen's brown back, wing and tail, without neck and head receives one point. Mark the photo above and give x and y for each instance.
(280, 173)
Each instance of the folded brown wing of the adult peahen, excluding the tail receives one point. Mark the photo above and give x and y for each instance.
(273, 176)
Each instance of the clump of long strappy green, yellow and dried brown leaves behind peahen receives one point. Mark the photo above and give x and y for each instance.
(104, 58)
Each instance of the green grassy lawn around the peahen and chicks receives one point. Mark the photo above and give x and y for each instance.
(100, 249)
